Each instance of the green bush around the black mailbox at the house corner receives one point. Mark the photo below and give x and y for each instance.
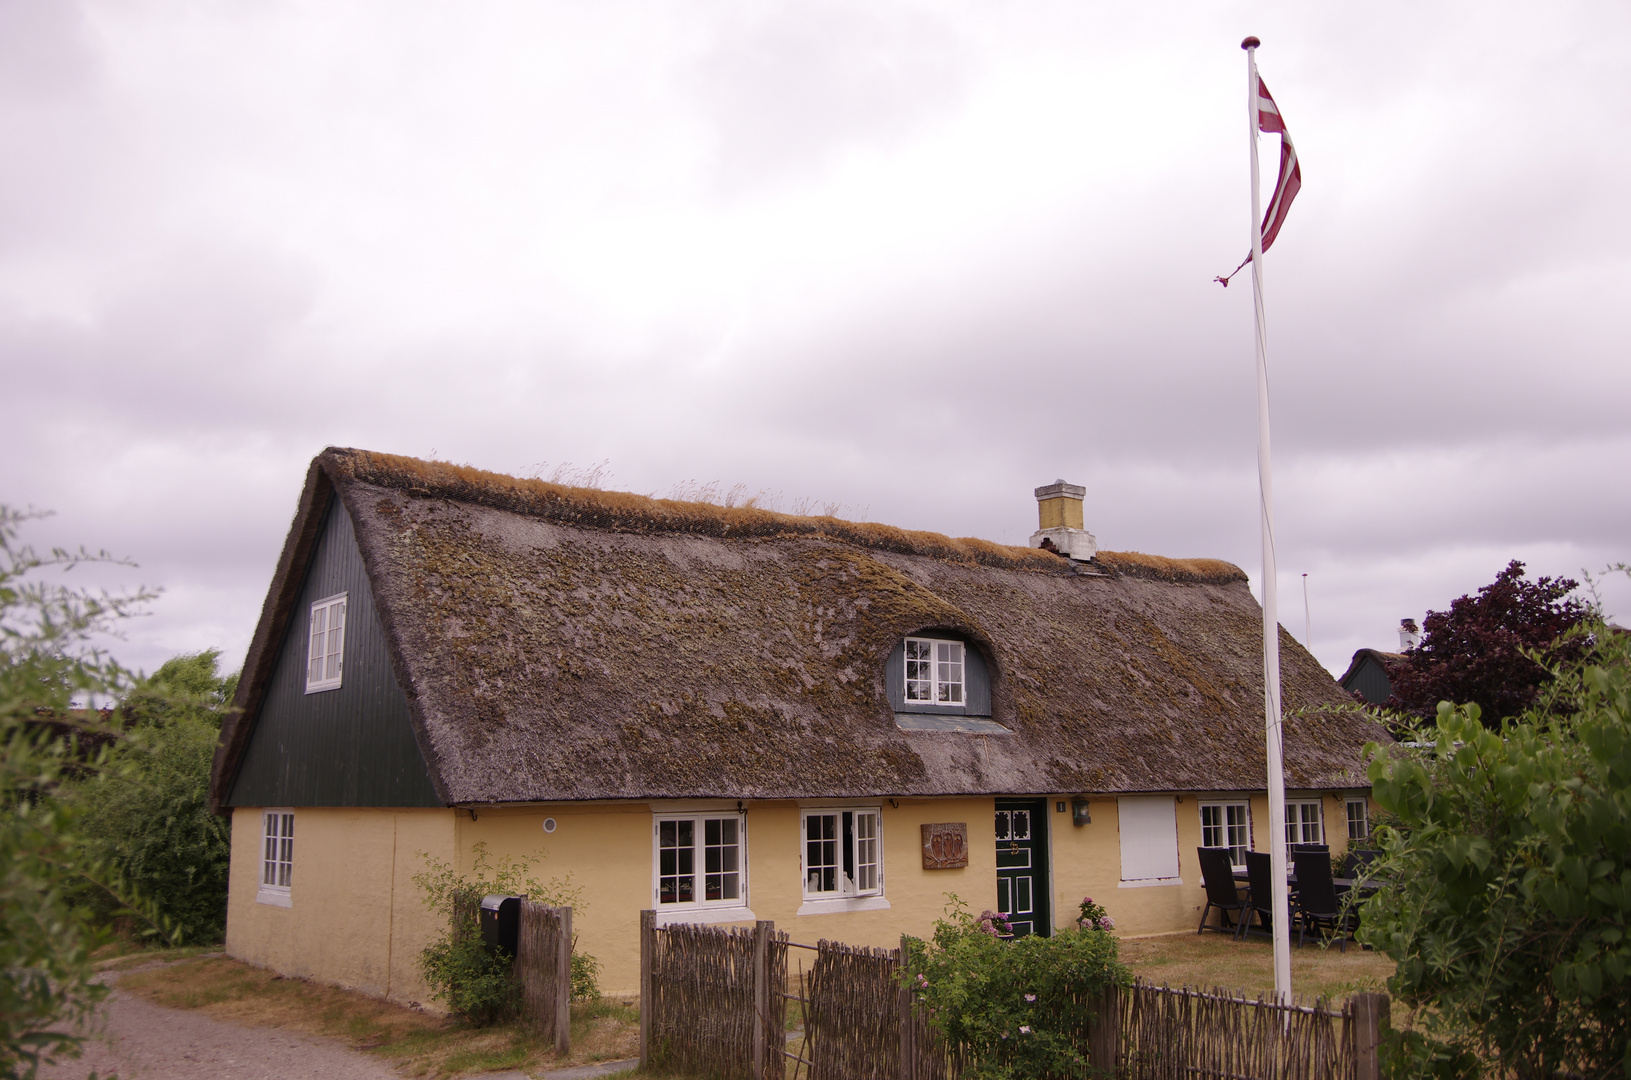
(474, 983)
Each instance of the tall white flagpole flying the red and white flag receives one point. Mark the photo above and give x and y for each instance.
(1271, 619)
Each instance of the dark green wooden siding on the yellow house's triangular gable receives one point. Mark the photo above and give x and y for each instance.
(353, 746)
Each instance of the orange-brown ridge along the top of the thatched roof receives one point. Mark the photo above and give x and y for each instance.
(639, 513)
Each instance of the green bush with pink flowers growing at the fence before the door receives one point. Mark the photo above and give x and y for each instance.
(1015, 1009)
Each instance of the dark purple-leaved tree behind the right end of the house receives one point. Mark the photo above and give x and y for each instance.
(1485, 648)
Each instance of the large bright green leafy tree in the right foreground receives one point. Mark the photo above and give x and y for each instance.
(1511, 864)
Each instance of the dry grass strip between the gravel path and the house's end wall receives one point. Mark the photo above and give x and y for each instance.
(418, 1043)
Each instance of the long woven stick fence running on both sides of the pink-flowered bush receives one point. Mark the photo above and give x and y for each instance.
(714, 1003)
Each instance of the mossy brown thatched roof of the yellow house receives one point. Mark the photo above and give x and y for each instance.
(564, 644)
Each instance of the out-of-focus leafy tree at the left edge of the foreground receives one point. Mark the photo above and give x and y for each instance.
(46, 662)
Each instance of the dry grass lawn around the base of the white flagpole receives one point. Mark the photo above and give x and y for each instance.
(1216, 960)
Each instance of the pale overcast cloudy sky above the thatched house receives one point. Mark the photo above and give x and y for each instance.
(908, 259)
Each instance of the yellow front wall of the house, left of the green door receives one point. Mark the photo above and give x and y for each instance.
(609, 851)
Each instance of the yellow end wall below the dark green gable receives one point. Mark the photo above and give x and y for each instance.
(356, 918)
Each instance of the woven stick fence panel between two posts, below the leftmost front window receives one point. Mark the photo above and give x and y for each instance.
(710, 999)
